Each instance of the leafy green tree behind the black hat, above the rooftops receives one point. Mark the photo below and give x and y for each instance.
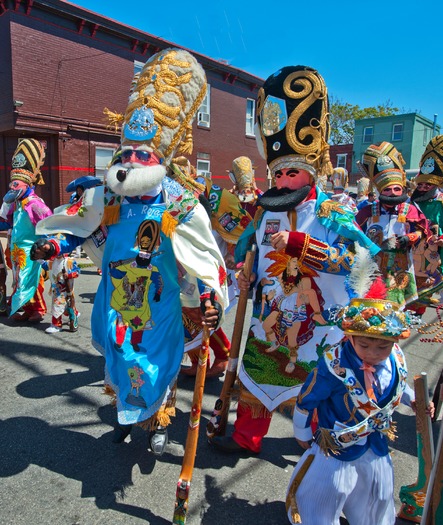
(343, 116)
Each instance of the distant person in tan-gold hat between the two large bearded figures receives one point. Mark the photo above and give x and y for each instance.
(242, 174)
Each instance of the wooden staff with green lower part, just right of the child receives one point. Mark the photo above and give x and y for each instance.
(413, 496)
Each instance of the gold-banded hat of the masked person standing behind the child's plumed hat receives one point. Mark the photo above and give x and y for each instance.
(384, 165)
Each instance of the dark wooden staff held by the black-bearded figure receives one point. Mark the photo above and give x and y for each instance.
(217, 423)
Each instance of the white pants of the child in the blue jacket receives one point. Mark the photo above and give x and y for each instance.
(362, 489)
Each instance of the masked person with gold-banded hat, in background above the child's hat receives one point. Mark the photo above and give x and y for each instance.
(392, 222)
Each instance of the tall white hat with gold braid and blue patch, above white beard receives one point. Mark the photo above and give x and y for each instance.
(163, 101)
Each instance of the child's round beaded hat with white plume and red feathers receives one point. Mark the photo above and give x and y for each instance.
(368, 313)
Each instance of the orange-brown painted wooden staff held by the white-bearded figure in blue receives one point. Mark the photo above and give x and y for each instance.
(184, 481)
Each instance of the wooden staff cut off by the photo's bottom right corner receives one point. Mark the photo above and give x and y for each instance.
(433, 508)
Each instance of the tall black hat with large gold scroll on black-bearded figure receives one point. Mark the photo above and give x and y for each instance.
(293, 120)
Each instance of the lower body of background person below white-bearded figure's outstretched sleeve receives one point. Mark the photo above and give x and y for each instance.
(62, 271)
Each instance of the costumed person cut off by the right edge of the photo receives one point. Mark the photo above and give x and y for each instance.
(429, 199)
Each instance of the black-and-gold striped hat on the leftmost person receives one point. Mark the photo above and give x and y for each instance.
(27, 160)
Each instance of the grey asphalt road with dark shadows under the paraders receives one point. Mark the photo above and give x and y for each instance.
(59, 466)
